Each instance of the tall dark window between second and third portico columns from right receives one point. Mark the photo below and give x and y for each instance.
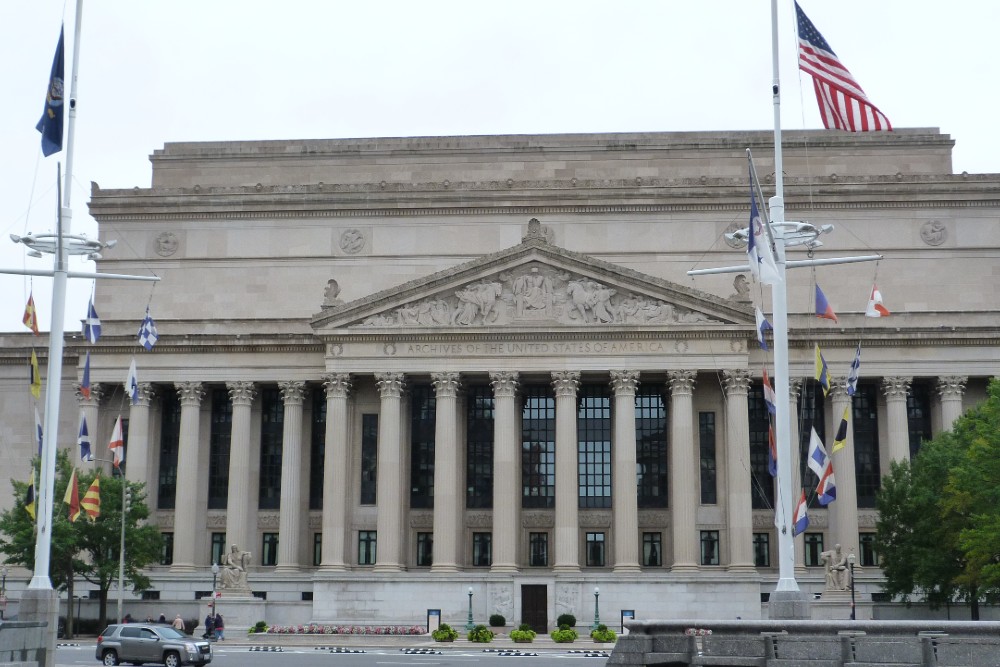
(651, 447)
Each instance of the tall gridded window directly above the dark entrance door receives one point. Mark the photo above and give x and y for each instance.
(538, 447)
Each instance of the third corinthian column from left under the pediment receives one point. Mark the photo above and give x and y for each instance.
(447, 503)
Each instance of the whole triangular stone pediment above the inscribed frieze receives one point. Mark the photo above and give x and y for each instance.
(533, 284)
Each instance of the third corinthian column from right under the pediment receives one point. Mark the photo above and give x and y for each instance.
(625, 503)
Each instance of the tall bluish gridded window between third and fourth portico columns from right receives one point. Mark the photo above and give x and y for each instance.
(593, 428)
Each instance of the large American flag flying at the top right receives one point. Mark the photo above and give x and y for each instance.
(842, 102)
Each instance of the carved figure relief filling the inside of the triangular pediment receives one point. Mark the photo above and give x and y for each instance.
(535, 294)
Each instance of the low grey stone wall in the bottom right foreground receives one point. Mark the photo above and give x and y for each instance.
(809, 644)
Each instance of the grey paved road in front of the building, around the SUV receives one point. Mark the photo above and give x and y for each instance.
(241, 656)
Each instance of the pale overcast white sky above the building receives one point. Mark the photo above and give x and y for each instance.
(157, 71)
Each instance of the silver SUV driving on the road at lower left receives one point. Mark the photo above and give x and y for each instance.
(139, 643)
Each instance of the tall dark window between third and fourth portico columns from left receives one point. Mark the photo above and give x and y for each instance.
(479, 447)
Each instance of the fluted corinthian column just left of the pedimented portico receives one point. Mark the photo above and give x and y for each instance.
(290, 509)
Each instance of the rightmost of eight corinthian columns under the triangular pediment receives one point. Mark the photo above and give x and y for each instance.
(739, 503)
